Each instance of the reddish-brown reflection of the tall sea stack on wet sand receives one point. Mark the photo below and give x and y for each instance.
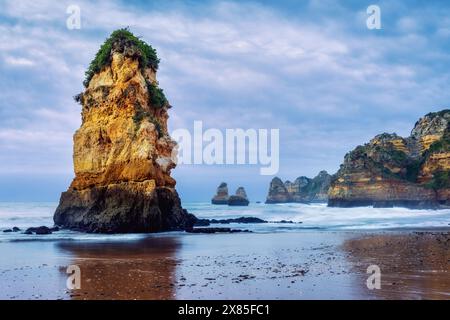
(142, 269)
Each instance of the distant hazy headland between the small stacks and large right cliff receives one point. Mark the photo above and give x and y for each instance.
(302, 190)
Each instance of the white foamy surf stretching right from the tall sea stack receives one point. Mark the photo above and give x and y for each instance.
(321, 216)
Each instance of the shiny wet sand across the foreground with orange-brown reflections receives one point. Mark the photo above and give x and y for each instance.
(294, 265)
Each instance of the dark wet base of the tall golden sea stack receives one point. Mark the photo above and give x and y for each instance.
(117, 209)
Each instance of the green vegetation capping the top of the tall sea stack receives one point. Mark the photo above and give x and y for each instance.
(125, 42)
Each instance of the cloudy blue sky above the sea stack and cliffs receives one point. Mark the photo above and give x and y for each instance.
(311, 69)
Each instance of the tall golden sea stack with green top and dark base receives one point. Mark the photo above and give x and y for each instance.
(123, 154)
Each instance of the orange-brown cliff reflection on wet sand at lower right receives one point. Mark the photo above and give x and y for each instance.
(413, 266)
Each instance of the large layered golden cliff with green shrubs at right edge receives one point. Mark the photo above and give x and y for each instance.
(394, 171)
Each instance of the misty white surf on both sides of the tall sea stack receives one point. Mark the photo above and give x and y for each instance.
(306, 217)
